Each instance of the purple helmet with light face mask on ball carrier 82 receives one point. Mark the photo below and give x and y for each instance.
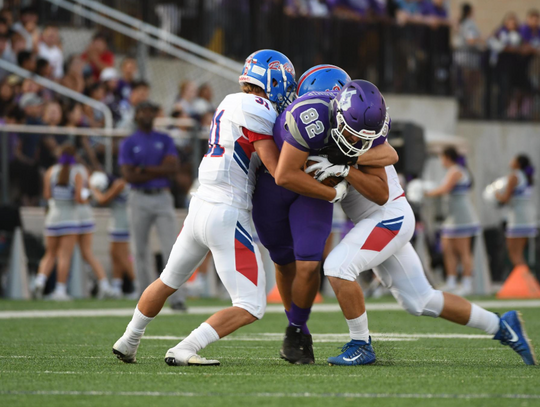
(360, 117)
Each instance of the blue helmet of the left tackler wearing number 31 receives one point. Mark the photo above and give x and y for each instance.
(274, 73)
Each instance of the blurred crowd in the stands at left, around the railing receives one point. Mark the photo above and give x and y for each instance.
(38, 49)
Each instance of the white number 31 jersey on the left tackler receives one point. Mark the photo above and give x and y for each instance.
(227, 171)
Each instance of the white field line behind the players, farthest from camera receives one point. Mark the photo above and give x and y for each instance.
(207, 310)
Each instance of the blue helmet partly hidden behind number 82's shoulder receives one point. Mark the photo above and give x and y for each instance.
(322, 78)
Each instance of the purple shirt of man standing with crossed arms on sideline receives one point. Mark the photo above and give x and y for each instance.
(148, 150)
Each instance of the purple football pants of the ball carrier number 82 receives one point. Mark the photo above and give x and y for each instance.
(291, 226)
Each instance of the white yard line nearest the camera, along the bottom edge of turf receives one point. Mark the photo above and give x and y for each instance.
(276, 395)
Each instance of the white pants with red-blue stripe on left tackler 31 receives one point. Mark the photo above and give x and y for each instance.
(226, 232)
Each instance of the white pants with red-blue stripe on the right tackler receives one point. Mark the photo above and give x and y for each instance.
(381, 242)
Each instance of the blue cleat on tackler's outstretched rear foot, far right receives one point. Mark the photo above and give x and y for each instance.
(512, 333)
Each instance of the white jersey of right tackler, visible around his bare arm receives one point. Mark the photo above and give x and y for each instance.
(358, 207)
